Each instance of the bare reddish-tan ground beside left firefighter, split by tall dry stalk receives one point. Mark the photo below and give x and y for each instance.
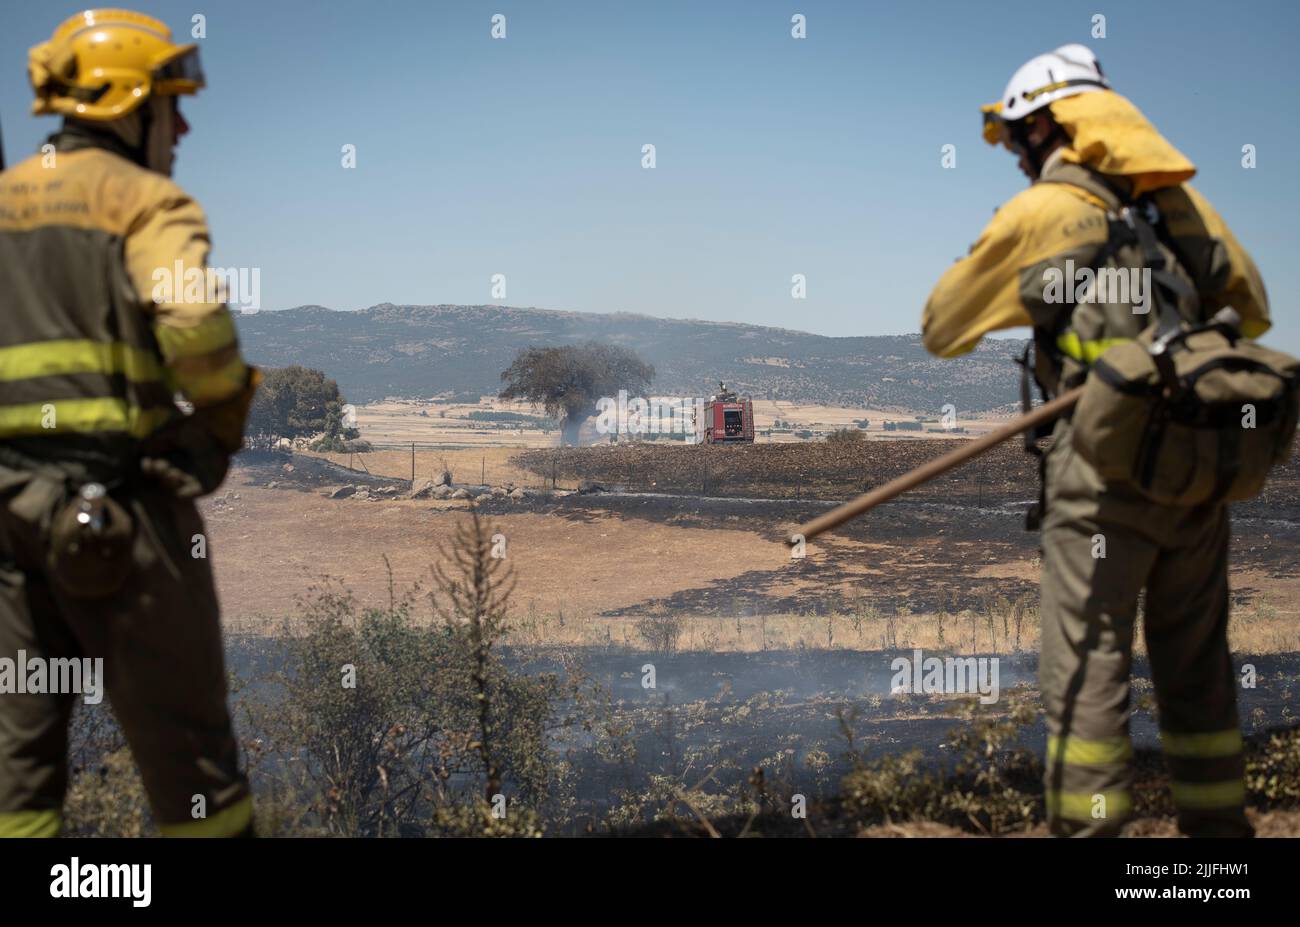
(271, 545)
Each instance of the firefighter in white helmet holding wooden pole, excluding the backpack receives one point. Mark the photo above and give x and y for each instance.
(1089, 153)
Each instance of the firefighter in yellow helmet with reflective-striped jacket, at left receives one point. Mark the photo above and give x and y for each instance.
(123, 397)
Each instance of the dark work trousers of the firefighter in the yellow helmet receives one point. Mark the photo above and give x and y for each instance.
(163, 665)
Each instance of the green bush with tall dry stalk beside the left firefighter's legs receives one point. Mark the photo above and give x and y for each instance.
(401, 729)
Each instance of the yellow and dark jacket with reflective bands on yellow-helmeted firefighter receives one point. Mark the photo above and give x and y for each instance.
(109, 311)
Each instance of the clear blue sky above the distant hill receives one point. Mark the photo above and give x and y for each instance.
(775, 157)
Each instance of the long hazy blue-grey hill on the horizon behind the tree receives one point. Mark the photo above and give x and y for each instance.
(421, 352)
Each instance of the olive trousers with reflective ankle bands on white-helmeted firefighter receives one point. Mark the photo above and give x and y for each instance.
(1102, 548)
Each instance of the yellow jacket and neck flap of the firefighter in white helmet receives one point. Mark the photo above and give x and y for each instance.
(1059, 228)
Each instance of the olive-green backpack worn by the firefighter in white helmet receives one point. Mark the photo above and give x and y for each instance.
(1189, 413)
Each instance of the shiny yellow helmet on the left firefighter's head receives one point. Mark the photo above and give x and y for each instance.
(102, 64)
